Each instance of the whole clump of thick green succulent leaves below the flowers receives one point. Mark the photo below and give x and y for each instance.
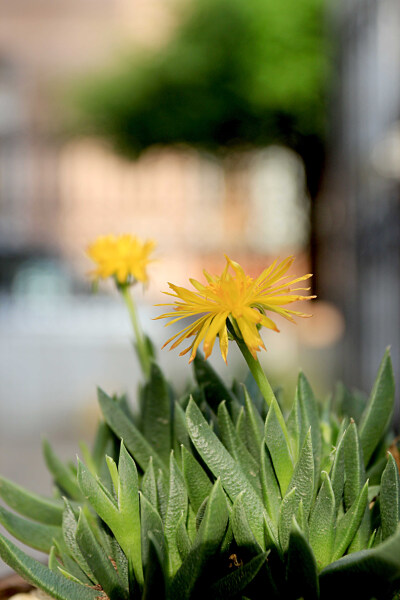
(249, 504)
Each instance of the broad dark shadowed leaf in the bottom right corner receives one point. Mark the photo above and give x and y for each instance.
(373, 573)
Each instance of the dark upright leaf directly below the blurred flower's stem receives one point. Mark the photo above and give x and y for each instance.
(156, 413)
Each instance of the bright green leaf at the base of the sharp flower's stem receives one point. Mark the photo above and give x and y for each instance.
(277, 442)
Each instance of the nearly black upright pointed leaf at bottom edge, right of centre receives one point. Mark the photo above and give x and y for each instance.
(301, 573)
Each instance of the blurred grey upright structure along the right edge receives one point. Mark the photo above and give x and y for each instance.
(358, 224)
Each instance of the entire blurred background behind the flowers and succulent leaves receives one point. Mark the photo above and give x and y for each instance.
(247, 127)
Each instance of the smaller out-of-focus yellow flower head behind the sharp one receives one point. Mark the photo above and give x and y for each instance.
(124, 257)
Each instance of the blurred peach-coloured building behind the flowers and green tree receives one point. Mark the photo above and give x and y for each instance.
(58, 194)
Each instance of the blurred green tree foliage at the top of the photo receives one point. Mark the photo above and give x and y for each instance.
(235, 73)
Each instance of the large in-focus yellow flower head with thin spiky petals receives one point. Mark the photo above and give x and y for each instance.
(237, 297)
